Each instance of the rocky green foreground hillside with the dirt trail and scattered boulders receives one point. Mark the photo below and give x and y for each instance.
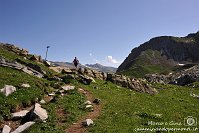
(38, 99)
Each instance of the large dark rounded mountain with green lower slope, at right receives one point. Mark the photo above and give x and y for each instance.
(161, 55)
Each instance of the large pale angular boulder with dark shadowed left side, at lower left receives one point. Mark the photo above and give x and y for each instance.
(36, 113)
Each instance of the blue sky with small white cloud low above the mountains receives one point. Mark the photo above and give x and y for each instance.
(103, 31)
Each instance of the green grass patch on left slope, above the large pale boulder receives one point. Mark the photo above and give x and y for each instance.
(23, 96)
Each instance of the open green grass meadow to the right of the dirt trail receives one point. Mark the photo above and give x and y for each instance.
(125, 110)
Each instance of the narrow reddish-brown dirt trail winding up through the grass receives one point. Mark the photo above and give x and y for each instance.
(77, 126)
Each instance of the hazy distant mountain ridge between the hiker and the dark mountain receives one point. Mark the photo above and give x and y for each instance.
(102, 68)
